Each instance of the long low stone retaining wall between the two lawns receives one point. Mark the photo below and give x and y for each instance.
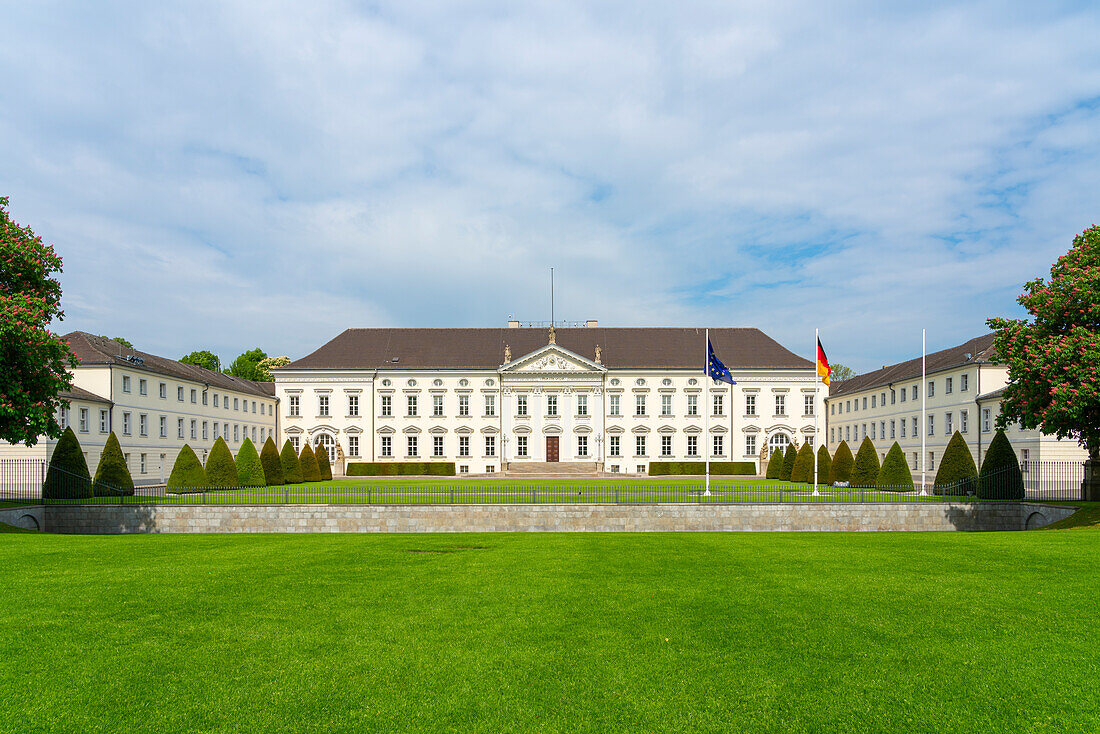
(551, 518)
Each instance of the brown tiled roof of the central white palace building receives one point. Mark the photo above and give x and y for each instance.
(483, 349)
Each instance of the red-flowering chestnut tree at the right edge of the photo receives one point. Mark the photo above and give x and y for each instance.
(1054, 359)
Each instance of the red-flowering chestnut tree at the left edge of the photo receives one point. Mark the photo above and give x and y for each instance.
(35, 363)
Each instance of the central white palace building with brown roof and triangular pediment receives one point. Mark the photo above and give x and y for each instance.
(554, 399)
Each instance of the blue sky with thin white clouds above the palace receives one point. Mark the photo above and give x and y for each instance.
(226, 176)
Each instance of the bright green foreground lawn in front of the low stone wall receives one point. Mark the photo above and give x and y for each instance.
(987, 632)
